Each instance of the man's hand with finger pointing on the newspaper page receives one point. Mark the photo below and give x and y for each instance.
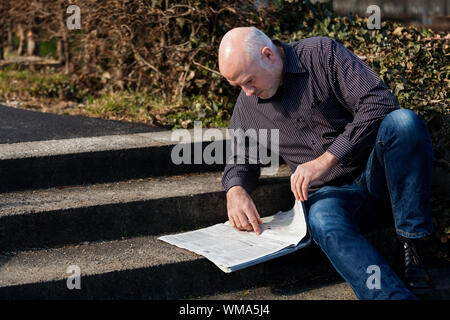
(242, 212)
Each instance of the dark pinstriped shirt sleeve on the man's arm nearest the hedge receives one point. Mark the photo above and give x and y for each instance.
(362, 92)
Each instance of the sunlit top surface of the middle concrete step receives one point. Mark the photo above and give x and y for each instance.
(57, 198)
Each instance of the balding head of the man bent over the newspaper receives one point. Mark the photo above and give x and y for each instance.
(248, 58)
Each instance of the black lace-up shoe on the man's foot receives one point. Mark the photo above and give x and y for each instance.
(413, 273)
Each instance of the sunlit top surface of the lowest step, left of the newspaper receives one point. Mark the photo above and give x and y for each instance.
(93, 258)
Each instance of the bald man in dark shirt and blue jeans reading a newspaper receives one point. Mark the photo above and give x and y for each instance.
(353, 152)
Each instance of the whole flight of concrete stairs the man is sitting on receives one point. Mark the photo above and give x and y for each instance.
(100, 204)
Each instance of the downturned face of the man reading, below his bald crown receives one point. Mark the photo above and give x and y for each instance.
(261, 79)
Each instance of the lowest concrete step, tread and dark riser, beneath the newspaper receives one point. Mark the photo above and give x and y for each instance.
(138, 268)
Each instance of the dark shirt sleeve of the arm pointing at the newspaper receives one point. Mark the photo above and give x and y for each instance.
(245, 175)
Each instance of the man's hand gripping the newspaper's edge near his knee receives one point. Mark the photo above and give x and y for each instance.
(308, 172)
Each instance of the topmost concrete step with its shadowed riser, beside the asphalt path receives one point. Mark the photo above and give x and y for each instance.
(86, 160)
